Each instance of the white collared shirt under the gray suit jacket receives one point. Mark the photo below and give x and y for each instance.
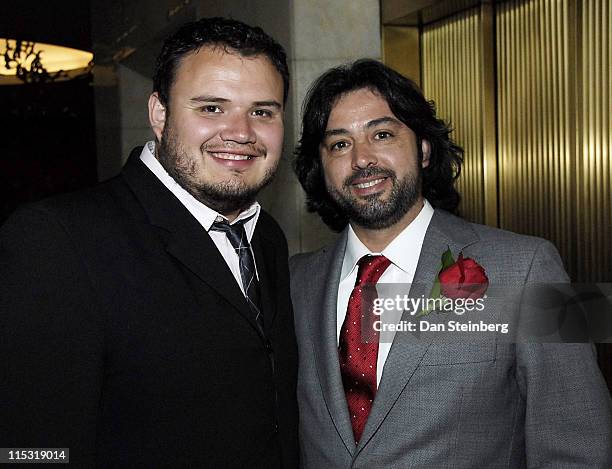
(403, 252)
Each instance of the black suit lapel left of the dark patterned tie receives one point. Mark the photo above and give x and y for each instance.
(185, 238)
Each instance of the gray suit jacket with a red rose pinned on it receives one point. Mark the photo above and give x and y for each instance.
(494, 405)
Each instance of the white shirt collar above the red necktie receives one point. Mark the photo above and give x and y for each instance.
(402, 251)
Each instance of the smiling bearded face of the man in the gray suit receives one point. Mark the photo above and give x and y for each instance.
(371, 162)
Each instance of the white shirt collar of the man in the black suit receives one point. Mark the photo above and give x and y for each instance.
(205, 215)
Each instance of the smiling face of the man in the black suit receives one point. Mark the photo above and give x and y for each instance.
(221, 135)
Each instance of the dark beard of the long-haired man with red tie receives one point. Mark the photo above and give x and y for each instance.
(372, 211)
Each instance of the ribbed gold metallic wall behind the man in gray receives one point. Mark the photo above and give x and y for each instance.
(546, 170)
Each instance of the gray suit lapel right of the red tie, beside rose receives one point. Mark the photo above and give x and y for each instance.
(406, 352)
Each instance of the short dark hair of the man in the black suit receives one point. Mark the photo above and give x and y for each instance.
(232, 35)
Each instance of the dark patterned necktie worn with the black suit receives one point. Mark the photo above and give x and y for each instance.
(238, 238)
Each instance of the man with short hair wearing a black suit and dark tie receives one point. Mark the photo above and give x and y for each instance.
(146, 322)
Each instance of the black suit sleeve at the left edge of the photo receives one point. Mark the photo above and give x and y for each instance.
(51, 340)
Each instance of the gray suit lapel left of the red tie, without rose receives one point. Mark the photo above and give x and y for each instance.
(324, 338)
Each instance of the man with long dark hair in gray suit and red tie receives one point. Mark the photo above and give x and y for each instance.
(379, 166)
